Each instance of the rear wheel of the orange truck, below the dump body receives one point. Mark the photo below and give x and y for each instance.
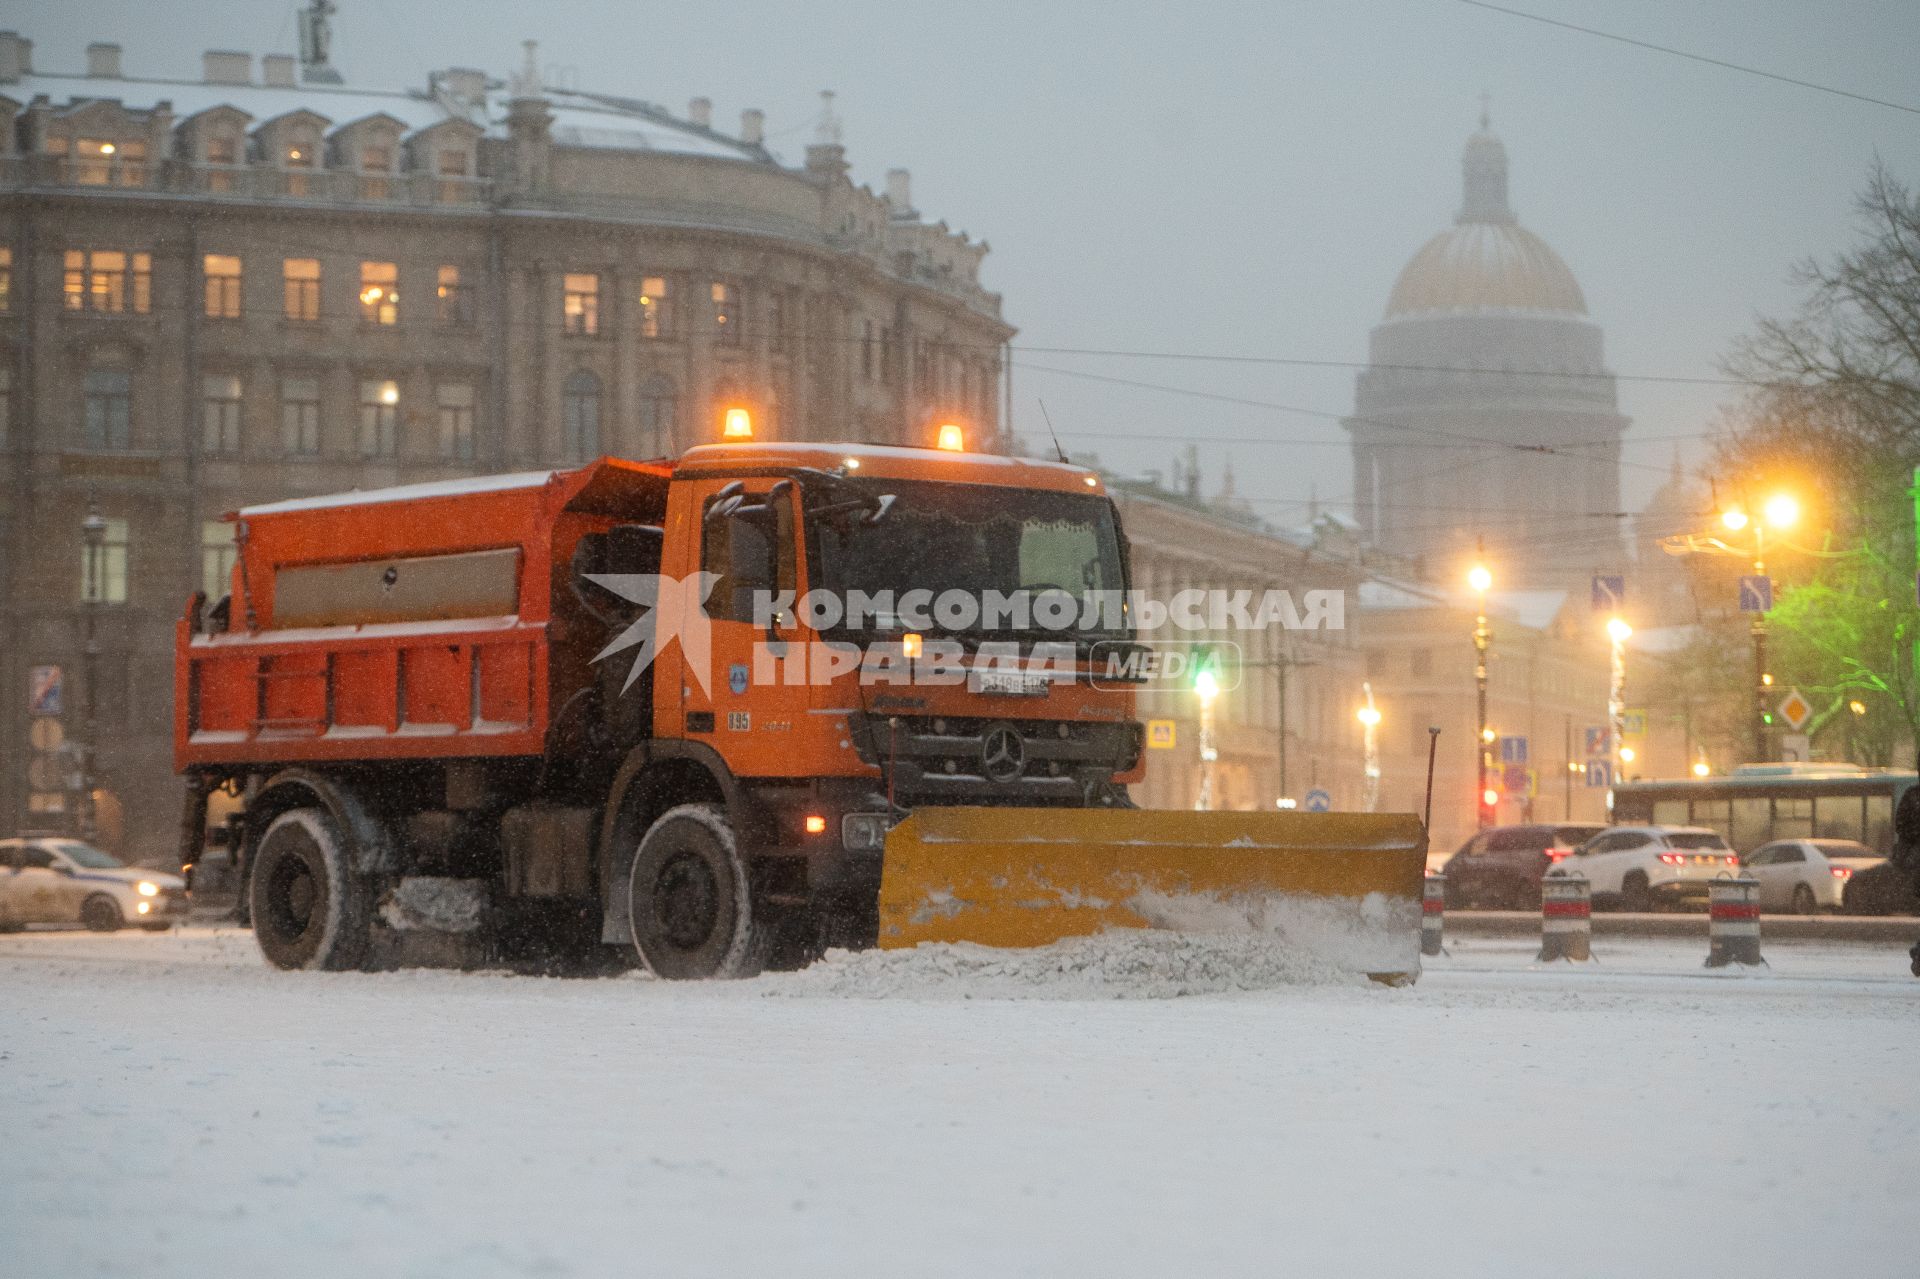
(310, 907)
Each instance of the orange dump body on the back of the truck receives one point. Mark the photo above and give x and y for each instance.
(414, 623)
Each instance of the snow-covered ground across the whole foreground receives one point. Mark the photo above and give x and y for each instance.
(172, 1107)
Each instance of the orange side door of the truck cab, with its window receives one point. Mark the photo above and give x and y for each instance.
(748, 710)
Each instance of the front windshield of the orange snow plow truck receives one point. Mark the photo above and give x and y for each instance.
(978, 539)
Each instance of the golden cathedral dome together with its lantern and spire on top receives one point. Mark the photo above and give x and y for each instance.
(1487, 262)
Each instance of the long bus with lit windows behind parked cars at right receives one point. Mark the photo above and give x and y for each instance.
(1762, 804)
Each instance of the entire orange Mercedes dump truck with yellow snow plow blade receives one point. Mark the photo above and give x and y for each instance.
(706, 710)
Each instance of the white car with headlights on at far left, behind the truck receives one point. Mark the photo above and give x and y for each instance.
(70, 882)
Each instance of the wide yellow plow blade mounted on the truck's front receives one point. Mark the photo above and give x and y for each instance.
(1343, 884)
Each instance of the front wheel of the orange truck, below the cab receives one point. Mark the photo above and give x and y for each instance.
(690, 900)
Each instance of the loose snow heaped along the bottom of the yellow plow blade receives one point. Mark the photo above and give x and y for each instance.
(1199, 946)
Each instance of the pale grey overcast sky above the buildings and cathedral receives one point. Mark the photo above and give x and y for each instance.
(1232, 180)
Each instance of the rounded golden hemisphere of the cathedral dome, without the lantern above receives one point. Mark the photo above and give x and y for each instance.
(1485, 268)
